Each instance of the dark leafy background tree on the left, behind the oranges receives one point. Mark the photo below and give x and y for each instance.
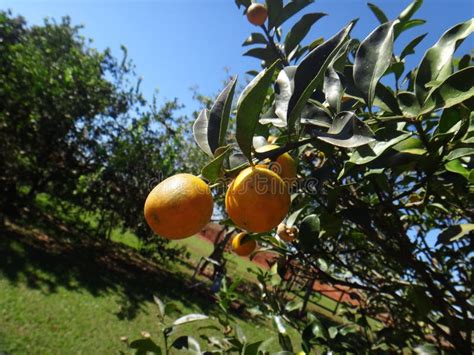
(74, 125)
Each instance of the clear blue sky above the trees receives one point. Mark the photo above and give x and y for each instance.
(176, 44)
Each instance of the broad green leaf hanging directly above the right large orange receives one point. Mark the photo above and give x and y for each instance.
(249, 106)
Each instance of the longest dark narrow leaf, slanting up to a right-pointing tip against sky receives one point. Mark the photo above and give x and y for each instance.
(310, 73)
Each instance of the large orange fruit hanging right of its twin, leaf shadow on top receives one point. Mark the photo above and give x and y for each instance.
(257, 200)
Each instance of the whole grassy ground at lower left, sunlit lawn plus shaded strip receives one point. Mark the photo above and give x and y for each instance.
(58, 298)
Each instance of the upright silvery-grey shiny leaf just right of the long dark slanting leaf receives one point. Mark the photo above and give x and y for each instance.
(372, 60)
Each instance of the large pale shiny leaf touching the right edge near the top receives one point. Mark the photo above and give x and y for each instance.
(436, 64)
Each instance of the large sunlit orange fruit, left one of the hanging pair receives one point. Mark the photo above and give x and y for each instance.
(179, 206)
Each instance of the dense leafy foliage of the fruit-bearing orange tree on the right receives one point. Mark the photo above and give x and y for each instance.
(384, 204)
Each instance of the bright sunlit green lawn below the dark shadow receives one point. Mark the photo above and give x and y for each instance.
(67, 321)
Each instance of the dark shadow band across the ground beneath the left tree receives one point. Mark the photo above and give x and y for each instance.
(80, 263)
